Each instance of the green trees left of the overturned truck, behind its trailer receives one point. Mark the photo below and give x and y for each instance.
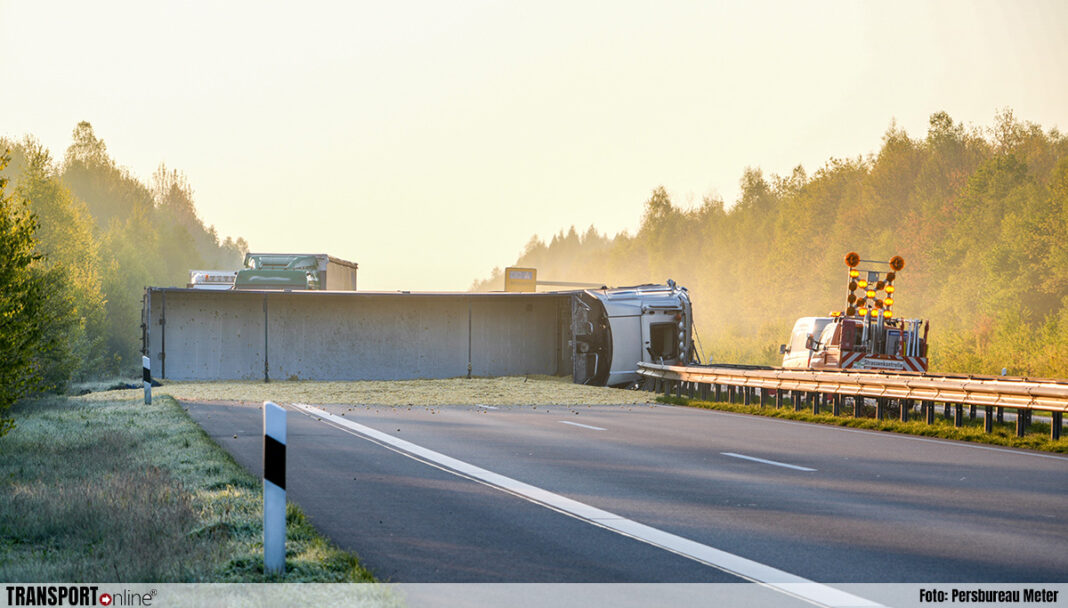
(82, 240)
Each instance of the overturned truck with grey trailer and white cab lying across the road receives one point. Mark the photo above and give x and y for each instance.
(594, 336)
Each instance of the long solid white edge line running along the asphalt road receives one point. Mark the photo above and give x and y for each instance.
(737, 566)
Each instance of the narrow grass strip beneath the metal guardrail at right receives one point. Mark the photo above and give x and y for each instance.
(1003, 434)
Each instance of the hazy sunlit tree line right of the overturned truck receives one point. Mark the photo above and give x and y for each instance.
(980, 214)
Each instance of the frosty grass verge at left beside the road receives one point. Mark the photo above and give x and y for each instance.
(109, 489)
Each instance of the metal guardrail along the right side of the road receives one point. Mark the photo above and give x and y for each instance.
(819, 387)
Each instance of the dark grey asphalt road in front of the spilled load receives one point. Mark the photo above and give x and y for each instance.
(823, 504)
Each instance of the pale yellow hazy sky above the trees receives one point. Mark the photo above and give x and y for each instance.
(429, 142)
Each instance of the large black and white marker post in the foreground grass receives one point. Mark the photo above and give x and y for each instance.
(274, 489)
